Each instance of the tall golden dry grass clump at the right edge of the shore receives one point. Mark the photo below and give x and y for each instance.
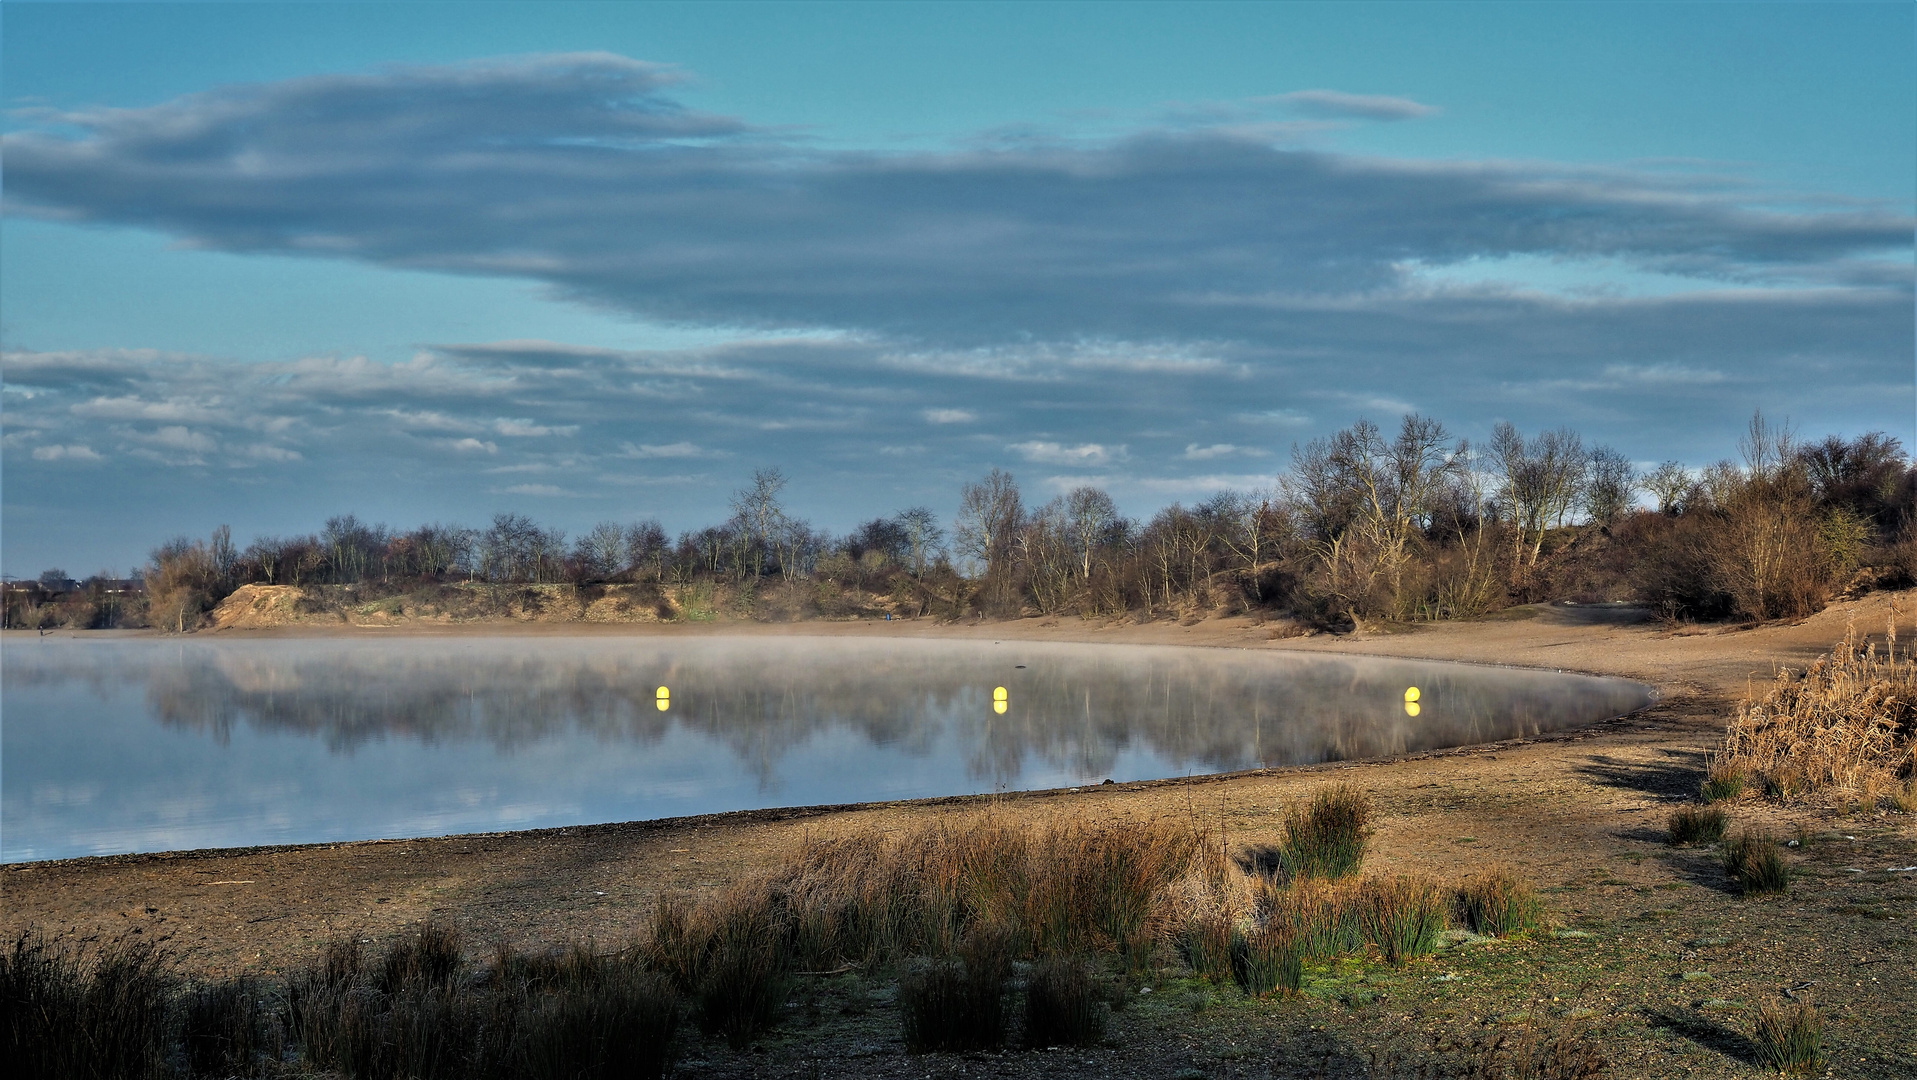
(1843, 726)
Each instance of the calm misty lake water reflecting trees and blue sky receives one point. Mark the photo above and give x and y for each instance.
(147, 745)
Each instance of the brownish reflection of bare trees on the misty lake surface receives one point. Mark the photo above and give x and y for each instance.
(1076, 709)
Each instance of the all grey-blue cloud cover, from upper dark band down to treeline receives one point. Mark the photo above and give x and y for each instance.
(1159, 314)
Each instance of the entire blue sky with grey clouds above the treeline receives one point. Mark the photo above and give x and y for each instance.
(267, 264)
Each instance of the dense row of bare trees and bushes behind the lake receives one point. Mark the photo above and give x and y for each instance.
(1364, 527)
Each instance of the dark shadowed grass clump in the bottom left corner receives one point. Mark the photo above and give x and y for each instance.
(72, 1014)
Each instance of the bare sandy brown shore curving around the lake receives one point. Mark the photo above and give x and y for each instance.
(1657, 951)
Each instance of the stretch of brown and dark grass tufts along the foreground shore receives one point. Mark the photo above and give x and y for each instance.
(963, 920)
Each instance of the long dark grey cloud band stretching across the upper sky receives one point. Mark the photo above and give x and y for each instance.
(582, 172)
